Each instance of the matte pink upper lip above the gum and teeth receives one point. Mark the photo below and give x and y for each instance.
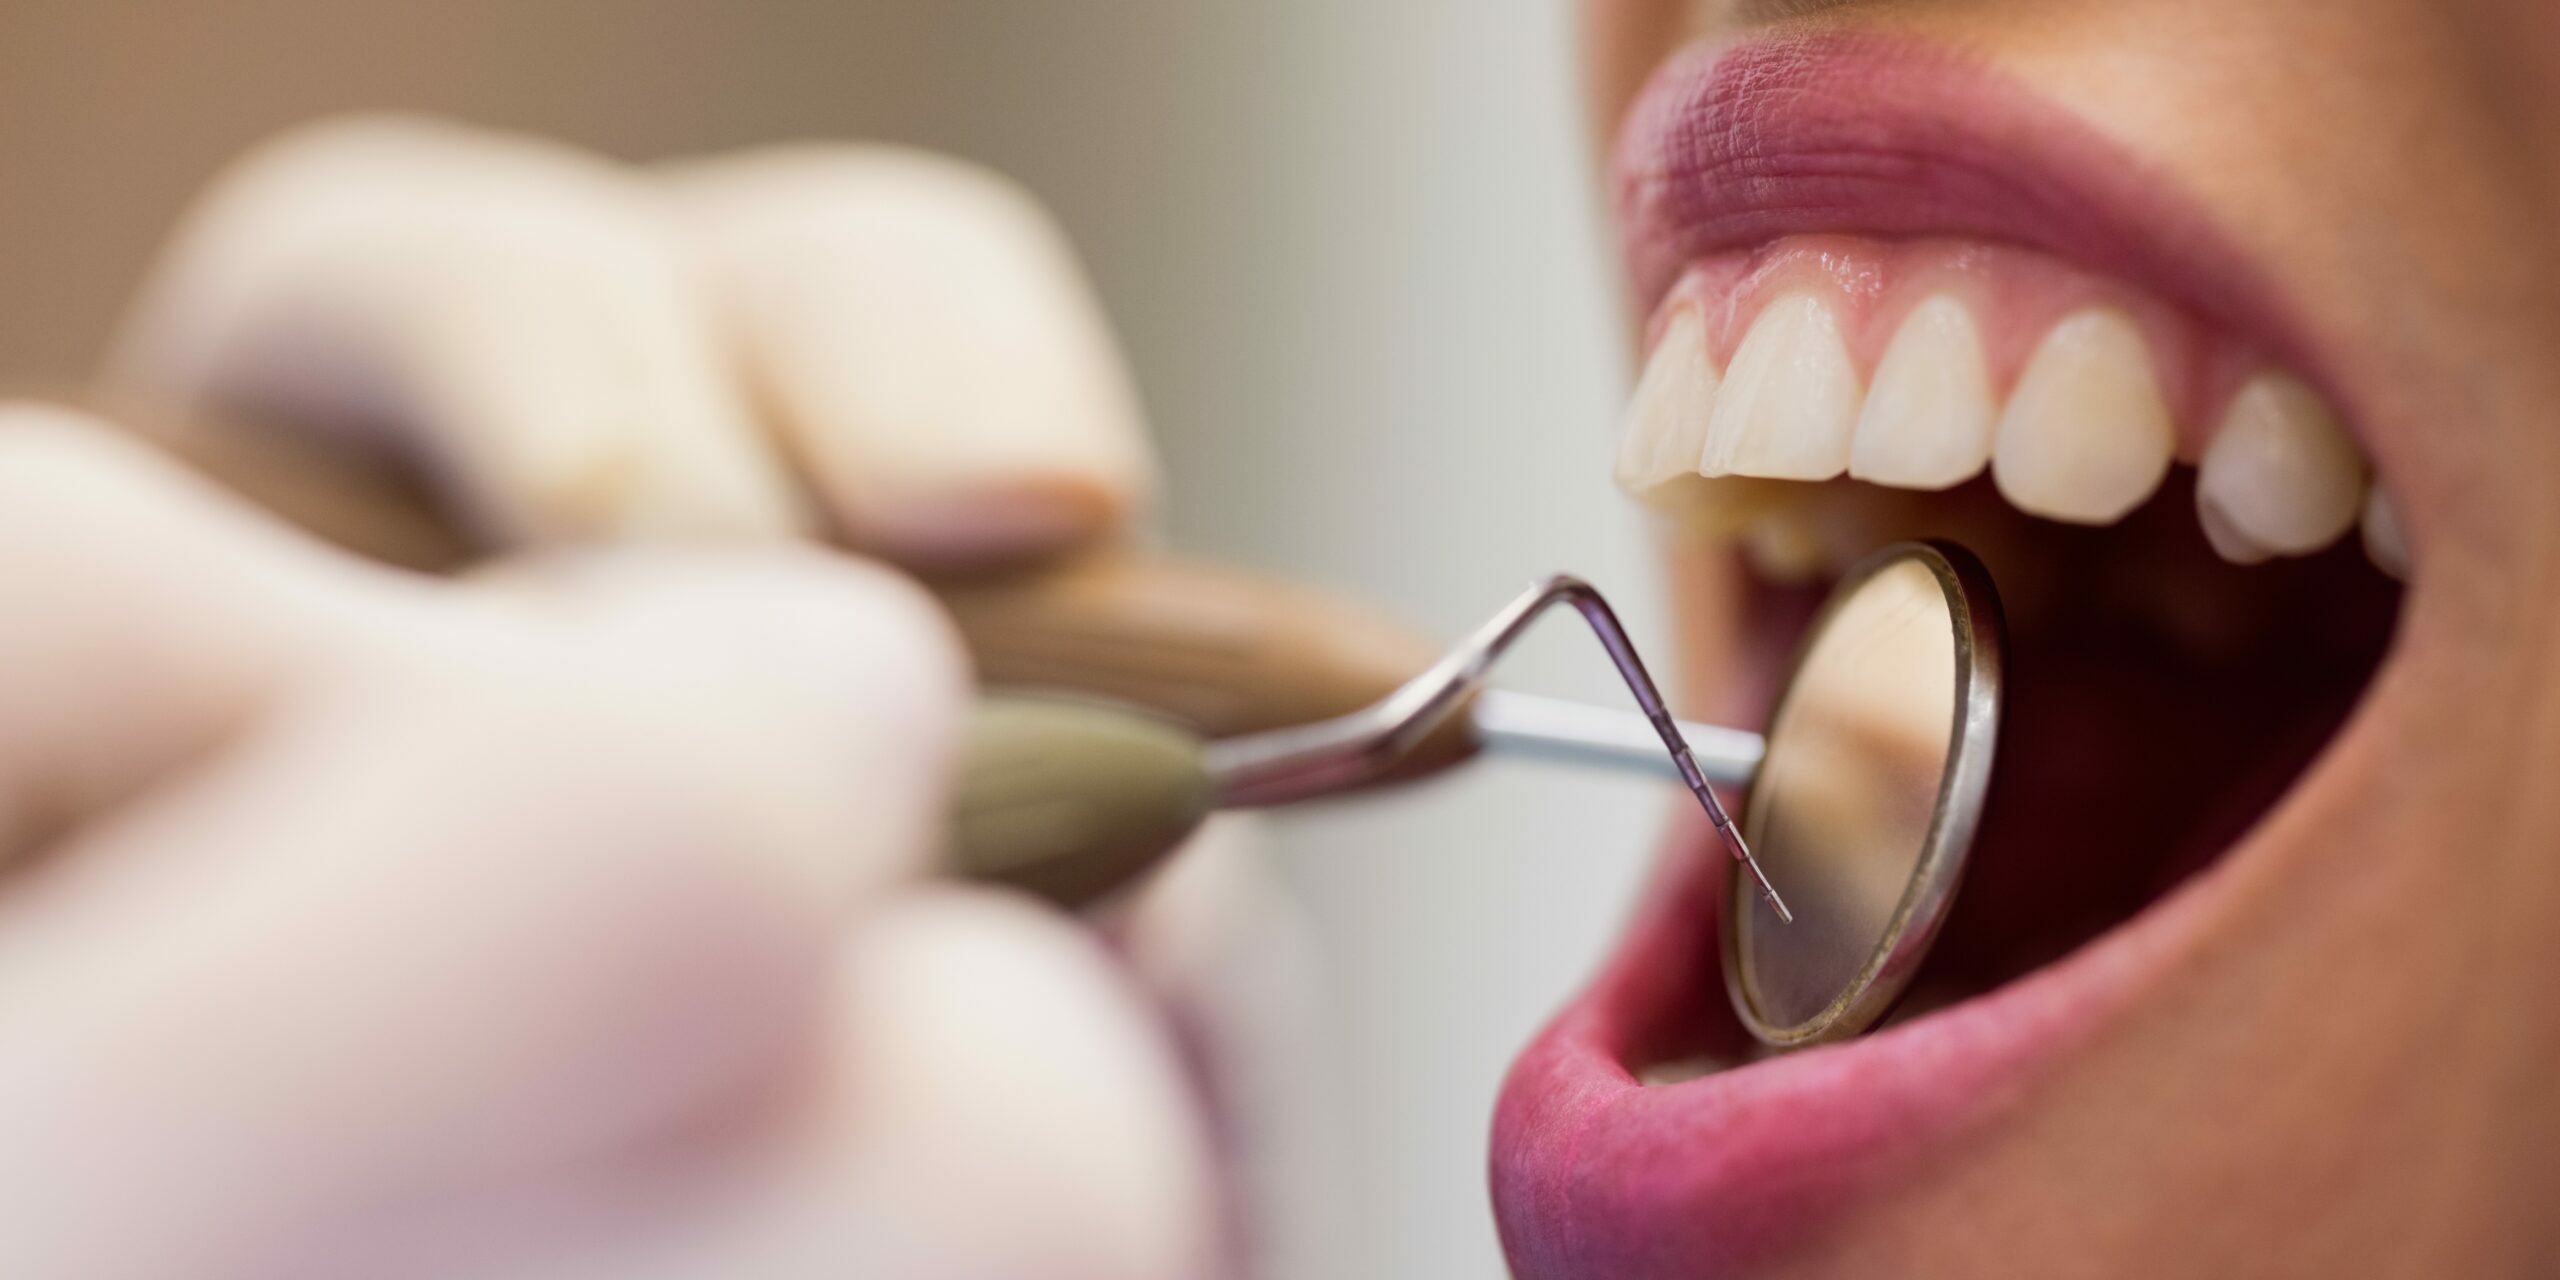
(1852, 134)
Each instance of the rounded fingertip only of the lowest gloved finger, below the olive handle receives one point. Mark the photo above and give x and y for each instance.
(997, 1069)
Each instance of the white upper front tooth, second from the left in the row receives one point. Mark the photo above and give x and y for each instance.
(1791, 398)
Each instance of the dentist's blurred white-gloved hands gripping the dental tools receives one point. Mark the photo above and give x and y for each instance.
(567, 918)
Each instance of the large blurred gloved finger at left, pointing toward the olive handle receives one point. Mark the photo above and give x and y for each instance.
(500, 897)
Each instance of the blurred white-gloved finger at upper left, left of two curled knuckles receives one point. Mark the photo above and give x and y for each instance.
(503, 314)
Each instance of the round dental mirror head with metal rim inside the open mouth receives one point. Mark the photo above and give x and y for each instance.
(1870, 792)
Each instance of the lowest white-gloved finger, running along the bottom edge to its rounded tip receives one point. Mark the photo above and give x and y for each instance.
(982, 1100)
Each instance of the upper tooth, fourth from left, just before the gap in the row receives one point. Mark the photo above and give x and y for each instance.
(2088, 434)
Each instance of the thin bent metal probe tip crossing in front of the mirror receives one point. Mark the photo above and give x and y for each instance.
(1304, 762)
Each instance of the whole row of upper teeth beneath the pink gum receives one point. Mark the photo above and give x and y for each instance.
(2085, 436)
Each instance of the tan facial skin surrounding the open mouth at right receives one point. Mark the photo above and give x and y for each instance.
(2344, 1066)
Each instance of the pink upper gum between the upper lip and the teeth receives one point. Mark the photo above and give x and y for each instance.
(2016, 298)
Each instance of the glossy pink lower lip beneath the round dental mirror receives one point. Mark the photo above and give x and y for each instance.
(1599, 1174)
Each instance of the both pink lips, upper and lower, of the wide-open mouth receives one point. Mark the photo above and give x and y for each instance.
(1594, 1171)
